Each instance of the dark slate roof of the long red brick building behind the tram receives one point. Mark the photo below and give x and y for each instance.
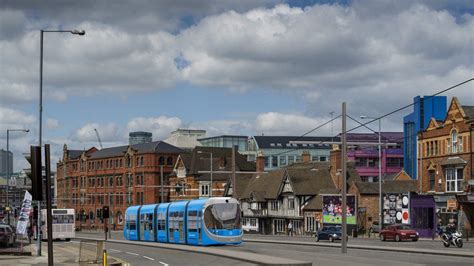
(150, 147)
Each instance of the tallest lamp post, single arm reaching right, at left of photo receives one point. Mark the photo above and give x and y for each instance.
(76, 32)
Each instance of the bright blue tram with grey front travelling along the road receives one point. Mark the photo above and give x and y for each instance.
(213, 221)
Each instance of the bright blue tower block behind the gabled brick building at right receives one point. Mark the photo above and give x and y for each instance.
(423, 110)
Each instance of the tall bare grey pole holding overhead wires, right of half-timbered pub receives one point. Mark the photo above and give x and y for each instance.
(344, 181)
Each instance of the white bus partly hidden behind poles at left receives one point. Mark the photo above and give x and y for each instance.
(63, 224)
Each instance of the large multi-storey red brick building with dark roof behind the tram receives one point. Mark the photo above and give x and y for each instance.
(116, 177)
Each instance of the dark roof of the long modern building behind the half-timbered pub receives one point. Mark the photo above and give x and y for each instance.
(280, 142)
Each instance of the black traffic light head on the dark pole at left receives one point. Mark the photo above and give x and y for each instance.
(35, 172)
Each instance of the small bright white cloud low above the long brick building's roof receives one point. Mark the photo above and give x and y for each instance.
(159, 126)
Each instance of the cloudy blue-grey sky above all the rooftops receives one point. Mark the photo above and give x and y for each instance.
(228, 67)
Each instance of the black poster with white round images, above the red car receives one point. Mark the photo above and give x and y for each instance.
(396, 208)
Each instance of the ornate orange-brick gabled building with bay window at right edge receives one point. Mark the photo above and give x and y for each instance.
(445, 161)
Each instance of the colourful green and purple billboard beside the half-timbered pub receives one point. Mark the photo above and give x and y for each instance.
(332, 209)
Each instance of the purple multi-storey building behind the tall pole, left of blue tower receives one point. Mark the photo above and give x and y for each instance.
(366, 156)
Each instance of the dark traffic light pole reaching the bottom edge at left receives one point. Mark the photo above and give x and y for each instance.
(49, 218)
